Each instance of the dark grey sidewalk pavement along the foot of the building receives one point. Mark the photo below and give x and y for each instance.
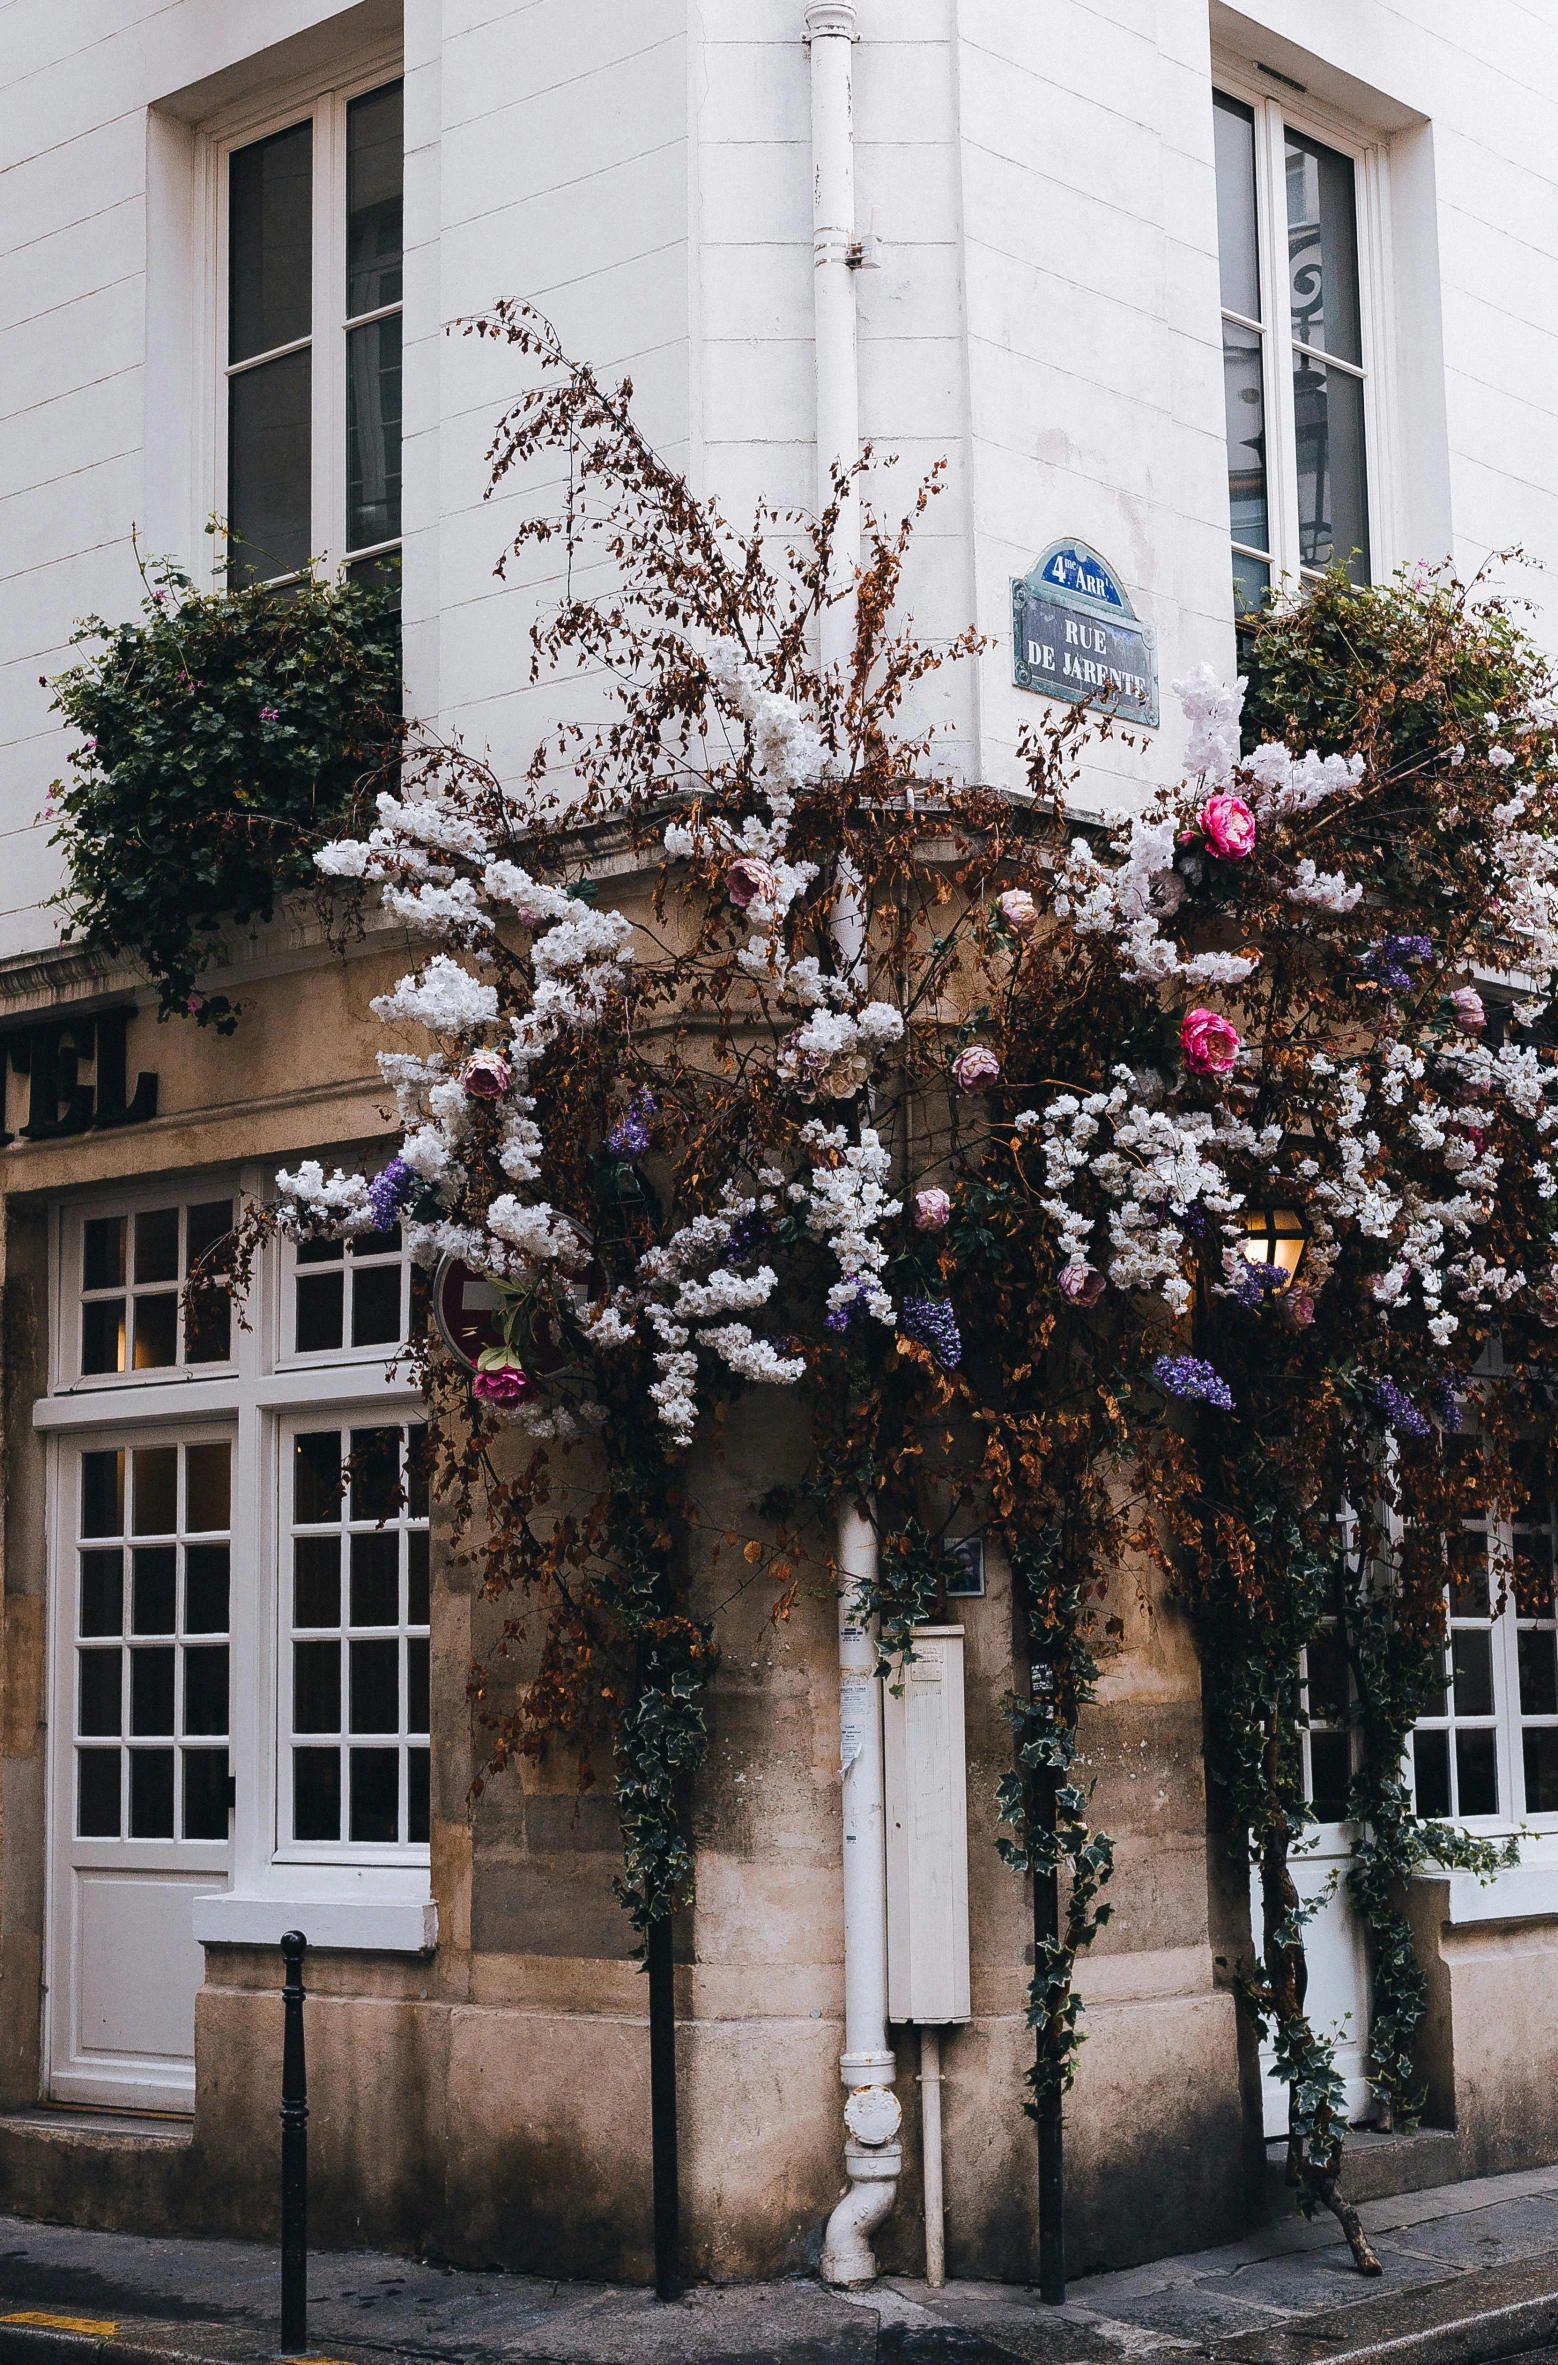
(1472, 2274)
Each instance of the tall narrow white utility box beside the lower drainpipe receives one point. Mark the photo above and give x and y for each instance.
(928, 1834)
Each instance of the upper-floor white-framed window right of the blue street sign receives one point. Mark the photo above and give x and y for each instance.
(1304, 354)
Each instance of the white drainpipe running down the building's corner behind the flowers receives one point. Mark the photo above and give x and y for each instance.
(874, 2158)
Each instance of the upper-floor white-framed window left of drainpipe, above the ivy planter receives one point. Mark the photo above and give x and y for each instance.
(313, 339)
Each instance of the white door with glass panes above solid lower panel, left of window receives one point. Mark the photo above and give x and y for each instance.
(143, 1718)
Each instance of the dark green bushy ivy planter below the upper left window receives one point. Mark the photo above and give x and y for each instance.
(223, 739)
